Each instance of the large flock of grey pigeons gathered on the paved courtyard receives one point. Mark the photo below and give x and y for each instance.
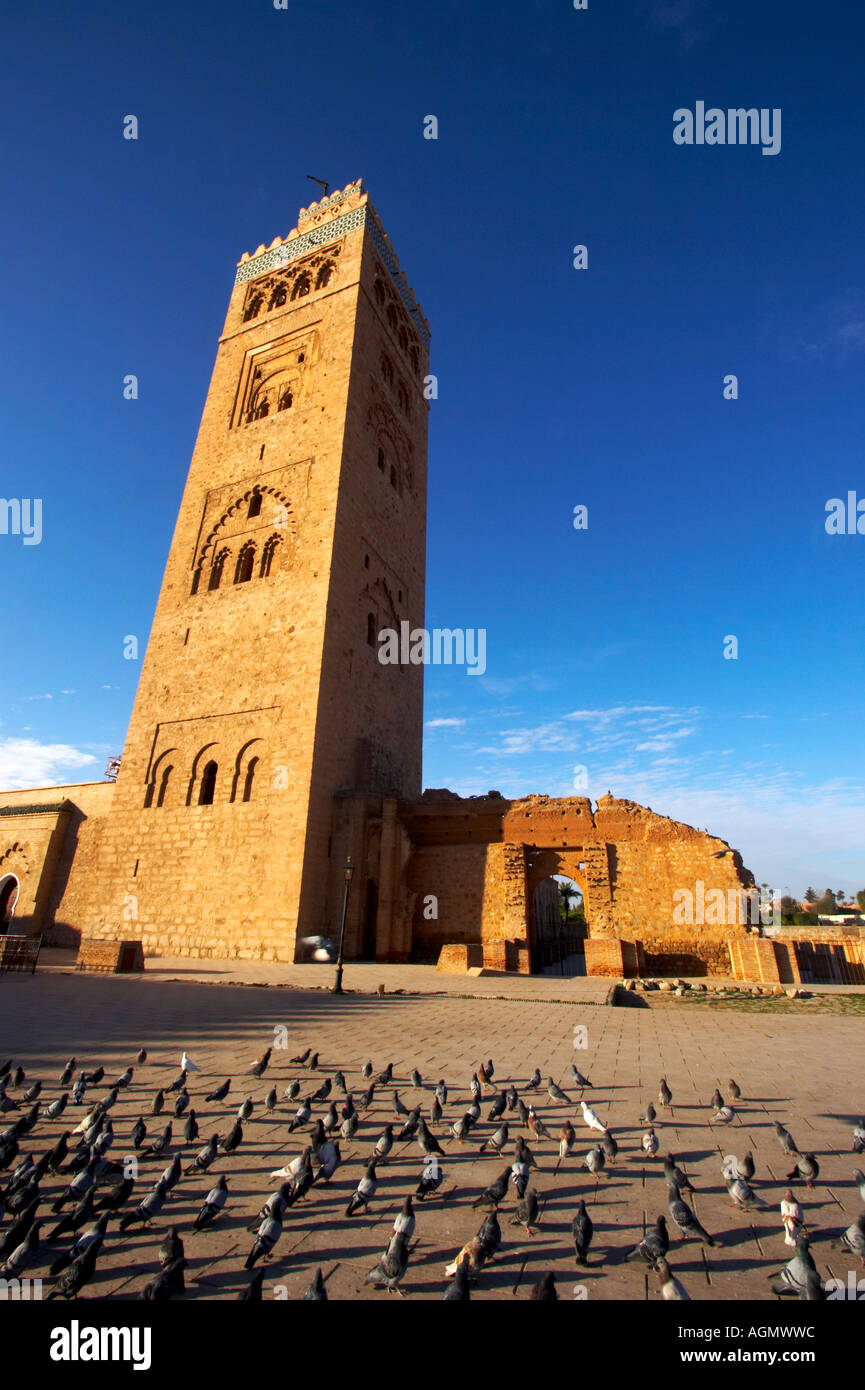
(62, 1206)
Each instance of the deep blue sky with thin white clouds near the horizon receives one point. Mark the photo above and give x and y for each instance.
(557, 387)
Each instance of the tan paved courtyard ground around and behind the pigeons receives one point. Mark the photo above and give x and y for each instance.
(802, 1071)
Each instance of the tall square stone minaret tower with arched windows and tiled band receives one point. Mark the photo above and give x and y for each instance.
(301, 534)
